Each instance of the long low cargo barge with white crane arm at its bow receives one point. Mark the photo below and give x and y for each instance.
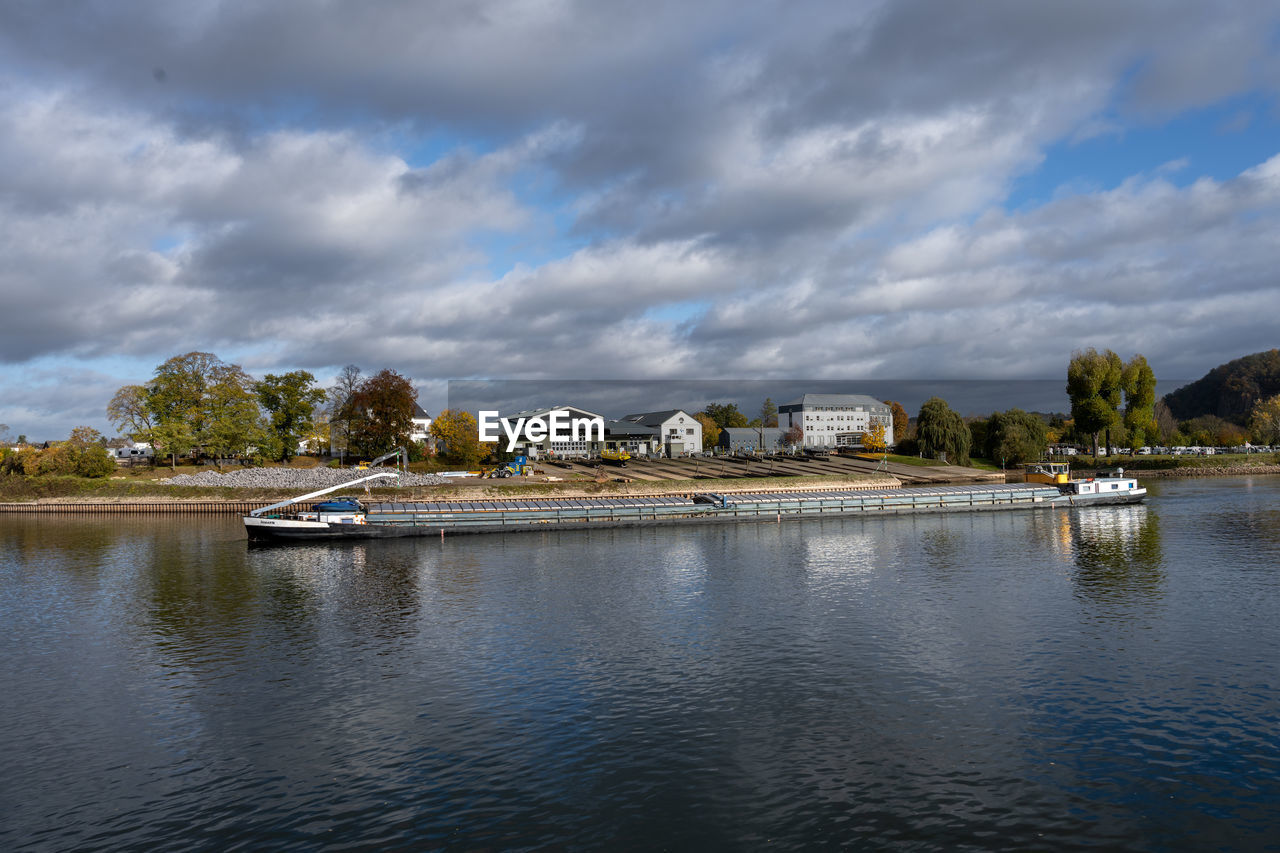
(353, 519)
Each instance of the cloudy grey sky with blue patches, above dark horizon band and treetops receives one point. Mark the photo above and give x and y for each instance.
(616, 190)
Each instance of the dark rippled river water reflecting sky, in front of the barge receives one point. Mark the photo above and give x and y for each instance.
(1028, 681)
